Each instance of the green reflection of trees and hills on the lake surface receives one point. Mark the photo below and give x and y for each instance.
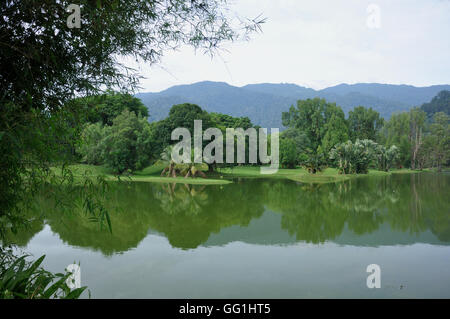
(190, 216)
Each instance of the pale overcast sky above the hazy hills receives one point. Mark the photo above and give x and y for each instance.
(321, 43)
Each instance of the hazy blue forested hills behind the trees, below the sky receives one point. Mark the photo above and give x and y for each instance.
(264, 103)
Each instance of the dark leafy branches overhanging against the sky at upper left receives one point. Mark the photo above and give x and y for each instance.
(48, 62)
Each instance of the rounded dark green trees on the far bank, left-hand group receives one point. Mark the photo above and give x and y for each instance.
(122, 139)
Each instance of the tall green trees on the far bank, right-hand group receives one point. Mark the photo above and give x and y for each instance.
(364, 139)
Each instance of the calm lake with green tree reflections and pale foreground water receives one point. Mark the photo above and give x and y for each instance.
(257, 238)
